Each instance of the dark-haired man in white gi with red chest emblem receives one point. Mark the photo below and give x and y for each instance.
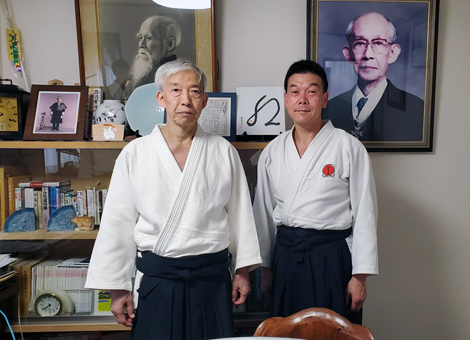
(315, 207)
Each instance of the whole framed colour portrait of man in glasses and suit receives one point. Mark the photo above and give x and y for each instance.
(379, 57)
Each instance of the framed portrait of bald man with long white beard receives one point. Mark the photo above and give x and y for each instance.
(124, 42)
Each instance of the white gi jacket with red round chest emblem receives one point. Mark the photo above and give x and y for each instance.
(330, 188)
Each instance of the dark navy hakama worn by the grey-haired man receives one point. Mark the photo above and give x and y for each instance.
(187, 298)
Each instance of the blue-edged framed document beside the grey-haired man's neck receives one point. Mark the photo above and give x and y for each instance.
(220, 114)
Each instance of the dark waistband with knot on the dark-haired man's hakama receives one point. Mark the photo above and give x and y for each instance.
(301, 240)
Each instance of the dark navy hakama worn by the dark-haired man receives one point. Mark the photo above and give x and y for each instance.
(311, 268)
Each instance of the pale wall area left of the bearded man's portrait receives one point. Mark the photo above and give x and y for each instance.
(49, 41)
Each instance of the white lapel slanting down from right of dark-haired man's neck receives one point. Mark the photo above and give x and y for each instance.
(307, 159)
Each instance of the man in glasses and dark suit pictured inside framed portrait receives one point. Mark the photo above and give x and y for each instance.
(374, 109)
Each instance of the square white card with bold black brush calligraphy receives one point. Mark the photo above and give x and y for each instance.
(260, 110)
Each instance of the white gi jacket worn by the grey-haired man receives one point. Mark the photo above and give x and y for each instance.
(154, 206)
